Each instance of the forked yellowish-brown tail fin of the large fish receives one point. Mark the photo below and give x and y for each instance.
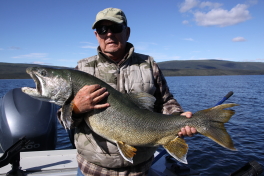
(214, 128)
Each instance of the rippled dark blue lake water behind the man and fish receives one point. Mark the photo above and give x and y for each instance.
(201, 92)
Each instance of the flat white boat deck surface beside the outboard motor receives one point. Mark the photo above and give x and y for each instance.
(46, 163)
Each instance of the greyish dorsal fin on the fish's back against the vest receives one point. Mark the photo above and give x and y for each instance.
(143, 100)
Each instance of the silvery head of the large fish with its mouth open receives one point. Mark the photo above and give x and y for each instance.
(52, 85)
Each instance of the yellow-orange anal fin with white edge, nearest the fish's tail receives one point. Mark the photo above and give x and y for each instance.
(177, 148)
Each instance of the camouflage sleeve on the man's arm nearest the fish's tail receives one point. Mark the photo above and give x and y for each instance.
(165, 102)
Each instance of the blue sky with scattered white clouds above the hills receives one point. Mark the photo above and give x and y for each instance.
(58, 32)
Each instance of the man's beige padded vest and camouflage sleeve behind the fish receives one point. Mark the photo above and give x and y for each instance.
(135, 73)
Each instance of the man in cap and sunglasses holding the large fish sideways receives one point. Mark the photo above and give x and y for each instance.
(127, 71)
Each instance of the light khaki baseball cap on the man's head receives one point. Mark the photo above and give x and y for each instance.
(111, 14)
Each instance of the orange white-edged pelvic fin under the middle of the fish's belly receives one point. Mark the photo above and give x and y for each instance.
(127, 151)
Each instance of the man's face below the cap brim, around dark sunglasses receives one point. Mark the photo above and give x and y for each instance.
(112, 44)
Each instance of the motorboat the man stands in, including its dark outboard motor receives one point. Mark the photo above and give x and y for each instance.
(28, 135)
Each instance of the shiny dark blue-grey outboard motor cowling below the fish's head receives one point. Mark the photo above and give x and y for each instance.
(24, 116)
